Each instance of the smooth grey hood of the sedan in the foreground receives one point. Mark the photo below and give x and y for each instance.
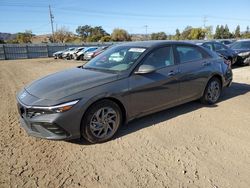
(68, 82)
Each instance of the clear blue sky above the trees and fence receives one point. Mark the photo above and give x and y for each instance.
(136, 16)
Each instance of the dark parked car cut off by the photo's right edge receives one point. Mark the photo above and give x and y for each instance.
(242, 49)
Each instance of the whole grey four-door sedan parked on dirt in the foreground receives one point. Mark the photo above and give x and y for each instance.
(95, 99)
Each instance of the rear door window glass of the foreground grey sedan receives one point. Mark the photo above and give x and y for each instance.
(188, 53)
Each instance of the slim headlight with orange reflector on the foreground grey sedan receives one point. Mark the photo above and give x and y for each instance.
(40, 110)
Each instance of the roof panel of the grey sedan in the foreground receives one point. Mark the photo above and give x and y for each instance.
(153, 43)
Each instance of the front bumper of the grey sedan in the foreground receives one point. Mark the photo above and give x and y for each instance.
(56, 126)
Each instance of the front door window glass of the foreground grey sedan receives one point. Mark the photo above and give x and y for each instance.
(160, 58)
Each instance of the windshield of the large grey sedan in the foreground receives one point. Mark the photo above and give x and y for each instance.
(118, 58)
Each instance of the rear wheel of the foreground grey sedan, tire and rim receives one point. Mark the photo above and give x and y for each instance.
(212, 91)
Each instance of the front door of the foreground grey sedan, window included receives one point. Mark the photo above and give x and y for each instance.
(157, 89)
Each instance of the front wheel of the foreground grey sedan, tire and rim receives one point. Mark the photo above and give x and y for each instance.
(101, 121)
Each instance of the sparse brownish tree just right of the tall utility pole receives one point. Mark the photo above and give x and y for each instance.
(63, 35)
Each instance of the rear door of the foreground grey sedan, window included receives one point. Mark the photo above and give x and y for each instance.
(194, 71)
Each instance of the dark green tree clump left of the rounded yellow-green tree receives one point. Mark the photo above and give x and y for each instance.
(91, 34)
